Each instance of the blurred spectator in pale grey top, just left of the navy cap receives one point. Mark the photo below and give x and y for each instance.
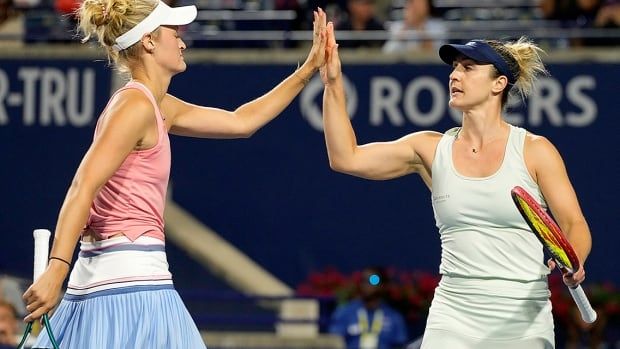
(417, 29)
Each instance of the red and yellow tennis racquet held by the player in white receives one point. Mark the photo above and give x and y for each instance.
(556, 244)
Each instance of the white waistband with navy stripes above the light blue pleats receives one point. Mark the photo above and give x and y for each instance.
(119, 265)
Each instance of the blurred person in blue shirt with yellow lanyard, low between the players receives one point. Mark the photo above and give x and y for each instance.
(367, 322)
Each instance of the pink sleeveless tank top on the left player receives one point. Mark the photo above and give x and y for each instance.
(132, 201)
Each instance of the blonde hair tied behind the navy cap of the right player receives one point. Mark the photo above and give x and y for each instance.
(523, 58)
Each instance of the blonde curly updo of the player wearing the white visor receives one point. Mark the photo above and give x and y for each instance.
(106, 20)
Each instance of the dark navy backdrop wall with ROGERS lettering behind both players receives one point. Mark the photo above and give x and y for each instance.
(273, 195)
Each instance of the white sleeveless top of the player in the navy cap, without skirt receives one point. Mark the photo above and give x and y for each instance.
(482, 233)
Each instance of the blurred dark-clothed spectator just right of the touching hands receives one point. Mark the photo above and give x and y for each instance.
(360, 17)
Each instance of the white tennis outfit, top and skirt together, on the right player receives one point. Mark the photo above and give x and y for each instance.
(493, 292)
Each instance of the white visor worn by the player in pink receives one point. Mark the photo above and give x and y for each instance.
(161, 15)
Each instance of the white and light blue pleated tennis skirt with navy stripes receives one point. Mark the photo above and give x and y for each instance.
(120, 295)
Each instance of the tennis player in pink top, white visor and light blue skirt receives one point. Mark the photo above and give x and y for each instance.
(120, 292)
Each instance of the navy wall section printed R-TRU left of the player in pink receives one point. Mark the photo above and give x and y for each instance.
(48, 109)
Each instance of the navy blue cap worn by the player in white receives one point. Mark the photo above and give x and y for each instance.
(480, 51)
